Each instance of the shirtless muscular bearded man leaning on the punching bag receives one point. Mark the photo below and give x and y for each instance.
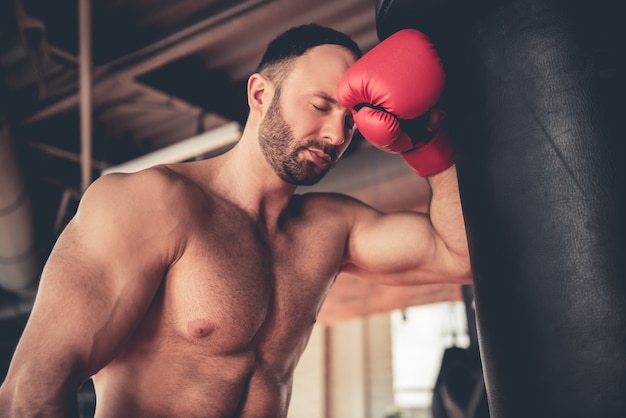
(190, 290)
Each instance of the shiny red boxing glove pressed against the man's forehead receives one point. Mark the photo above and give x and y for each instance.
(391, 91)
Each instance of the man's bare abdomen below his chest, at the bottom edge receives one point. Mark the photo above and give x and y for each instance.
(190, 385)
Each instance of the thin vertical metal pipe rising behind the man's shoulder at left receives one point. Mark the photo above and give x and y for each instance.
(85, 66)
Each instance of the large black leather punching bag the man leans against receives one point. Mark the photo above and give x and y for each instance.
(538, 106)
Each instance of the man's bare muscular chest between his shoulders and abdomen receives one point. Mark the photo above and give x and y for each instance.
(232, 289)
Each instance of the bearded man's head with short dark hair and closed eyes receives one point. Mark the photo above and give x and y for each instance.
(304, 130)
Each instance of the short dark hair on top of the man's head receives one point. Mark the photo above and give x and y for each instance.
(295, 42)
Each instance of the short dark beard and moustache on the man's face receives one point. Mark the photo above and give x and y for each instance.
(276, 138)
